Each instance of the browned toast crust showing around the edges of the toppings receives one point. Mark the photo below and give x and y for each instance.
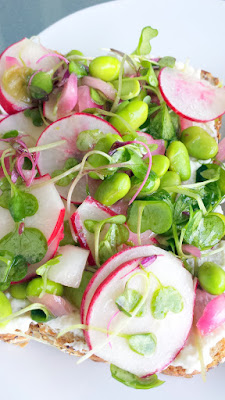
(45, 334)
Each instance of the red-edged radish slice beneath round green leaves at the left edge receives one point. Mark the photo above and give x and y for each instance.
(49, 216)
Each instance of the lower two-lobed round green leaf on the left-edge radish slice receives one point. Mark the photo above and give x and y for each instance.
(31, 244)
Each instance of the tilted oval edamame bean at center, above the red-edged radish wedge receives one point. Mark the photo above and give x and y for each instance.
(113, 189)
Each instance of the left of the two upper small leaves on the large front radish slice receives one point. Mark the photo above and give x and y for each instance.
(128, 301)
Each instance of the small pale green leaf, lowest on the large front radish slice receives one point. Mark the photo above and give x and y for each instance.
(143, 343)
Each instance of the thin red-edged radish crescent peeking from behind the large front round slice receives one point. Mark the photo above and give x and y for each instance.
(110, 265)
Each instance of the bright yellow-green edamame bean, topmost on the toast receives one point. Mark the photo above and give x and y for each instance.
(106, 68)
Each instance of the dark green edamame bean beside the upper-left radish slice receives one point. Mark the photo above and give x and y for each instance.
(41, 85)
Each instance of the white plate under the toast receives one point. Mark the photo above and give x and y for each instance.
(187, 29)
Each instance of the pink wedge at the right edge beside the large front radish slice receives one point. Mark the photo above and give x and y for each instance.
(213, 315)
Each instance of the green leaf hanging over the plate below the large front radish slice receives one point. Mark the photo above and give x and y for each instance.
(134, 381)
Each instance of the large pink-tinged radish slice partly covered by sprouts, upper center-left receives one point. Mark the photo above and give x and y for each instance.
(68, 129)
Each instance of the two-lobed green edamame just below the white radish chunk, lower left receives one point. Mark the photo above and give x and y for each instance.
(35, 287)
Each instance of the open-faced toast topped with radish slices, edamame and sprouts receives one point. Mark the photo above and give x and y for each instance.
(111, 226)
